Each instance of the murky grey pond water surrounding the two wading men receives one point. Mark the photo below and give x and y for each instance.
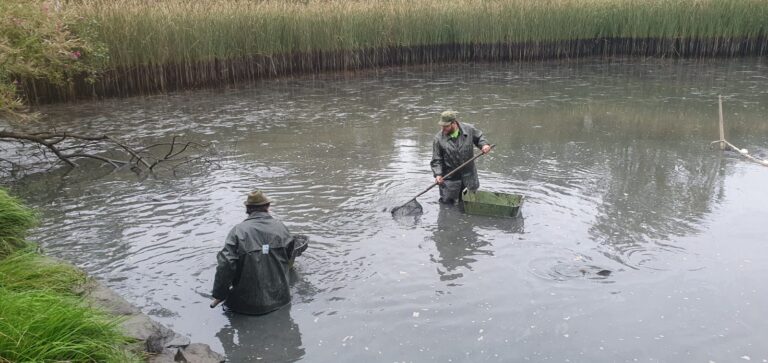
(636, 241)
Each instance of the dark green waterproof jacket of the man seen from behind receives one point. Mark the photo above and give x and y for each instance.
(251, 278)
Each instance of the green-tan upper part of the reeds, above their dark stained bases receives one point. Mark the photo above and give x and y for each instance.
(177, 31)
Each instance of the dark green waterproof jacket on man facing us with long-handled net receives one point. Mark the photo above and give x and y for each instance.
(448, 154)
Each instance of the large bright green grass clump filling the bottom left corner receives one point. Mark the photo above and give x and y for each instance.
(41, 326)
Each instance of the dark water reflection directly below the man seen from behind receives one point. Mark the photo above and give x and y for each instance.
(273, 337)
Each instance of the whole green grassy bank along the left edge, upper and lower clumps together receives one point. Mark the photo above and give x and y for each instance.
(42, 317)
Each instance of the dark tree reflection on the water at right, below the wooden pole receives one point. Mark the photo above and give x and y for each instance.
(652, 196)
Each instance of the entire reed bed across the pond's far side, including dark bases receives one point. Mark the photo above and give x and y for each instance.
(171, 44)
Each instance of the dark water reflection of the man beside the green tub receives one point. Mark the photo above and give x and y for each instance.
(460, 242)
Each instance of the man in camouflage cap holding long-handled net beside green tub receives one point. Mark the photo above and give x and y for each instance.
(452, 146)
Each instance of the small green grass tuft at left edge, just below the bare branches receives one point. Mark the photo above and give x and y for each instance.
(15, 220)
